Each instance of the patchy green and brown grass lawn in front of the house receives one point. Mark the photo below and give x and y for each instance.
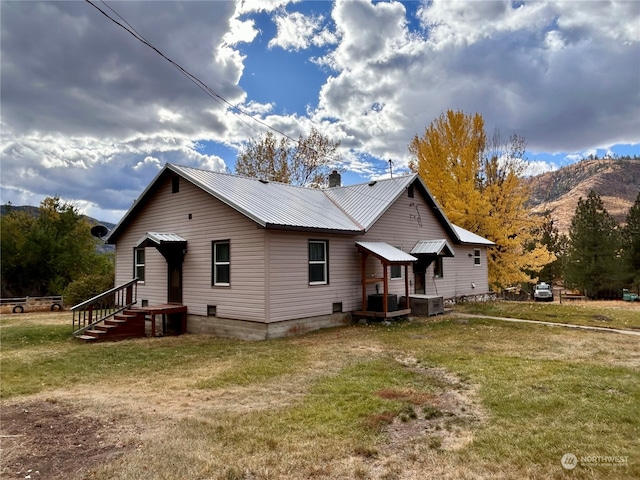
(440, 397)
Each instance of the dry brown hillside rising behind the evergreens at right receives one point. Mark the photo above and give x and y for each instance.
(616, 181)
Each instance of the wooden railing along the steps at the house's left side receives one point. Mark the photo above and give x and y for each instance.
(103, 306)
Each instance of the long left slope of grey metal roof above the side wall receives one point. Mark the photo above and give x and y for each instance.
(272, 203)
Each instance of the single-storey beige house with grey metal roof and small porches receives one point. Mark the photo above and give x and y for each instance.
(256, 259)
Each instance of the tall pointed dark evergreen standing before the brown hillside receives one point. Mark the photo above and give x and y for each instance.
(593, 264)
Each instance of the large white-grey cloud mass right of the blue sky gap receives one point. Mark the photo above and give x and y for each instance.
(543, 70)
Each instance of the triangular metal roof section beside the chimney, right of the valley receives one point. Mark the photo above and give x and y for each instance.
(365, 203)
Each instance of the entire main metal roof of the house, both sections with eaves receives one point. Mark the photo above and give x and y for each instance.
(350, 209)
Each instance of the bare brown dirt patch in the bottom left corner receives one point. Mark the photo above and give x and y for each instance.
(45, 439)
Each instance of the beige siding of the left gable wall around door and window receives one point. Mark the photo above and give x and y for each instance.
(211, 220)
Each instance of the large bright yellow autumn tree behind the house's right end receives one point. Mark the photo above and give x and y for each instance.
(478, 182)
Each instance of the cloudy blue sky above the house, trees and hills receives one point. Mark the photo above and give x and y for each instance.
(91, 114)
